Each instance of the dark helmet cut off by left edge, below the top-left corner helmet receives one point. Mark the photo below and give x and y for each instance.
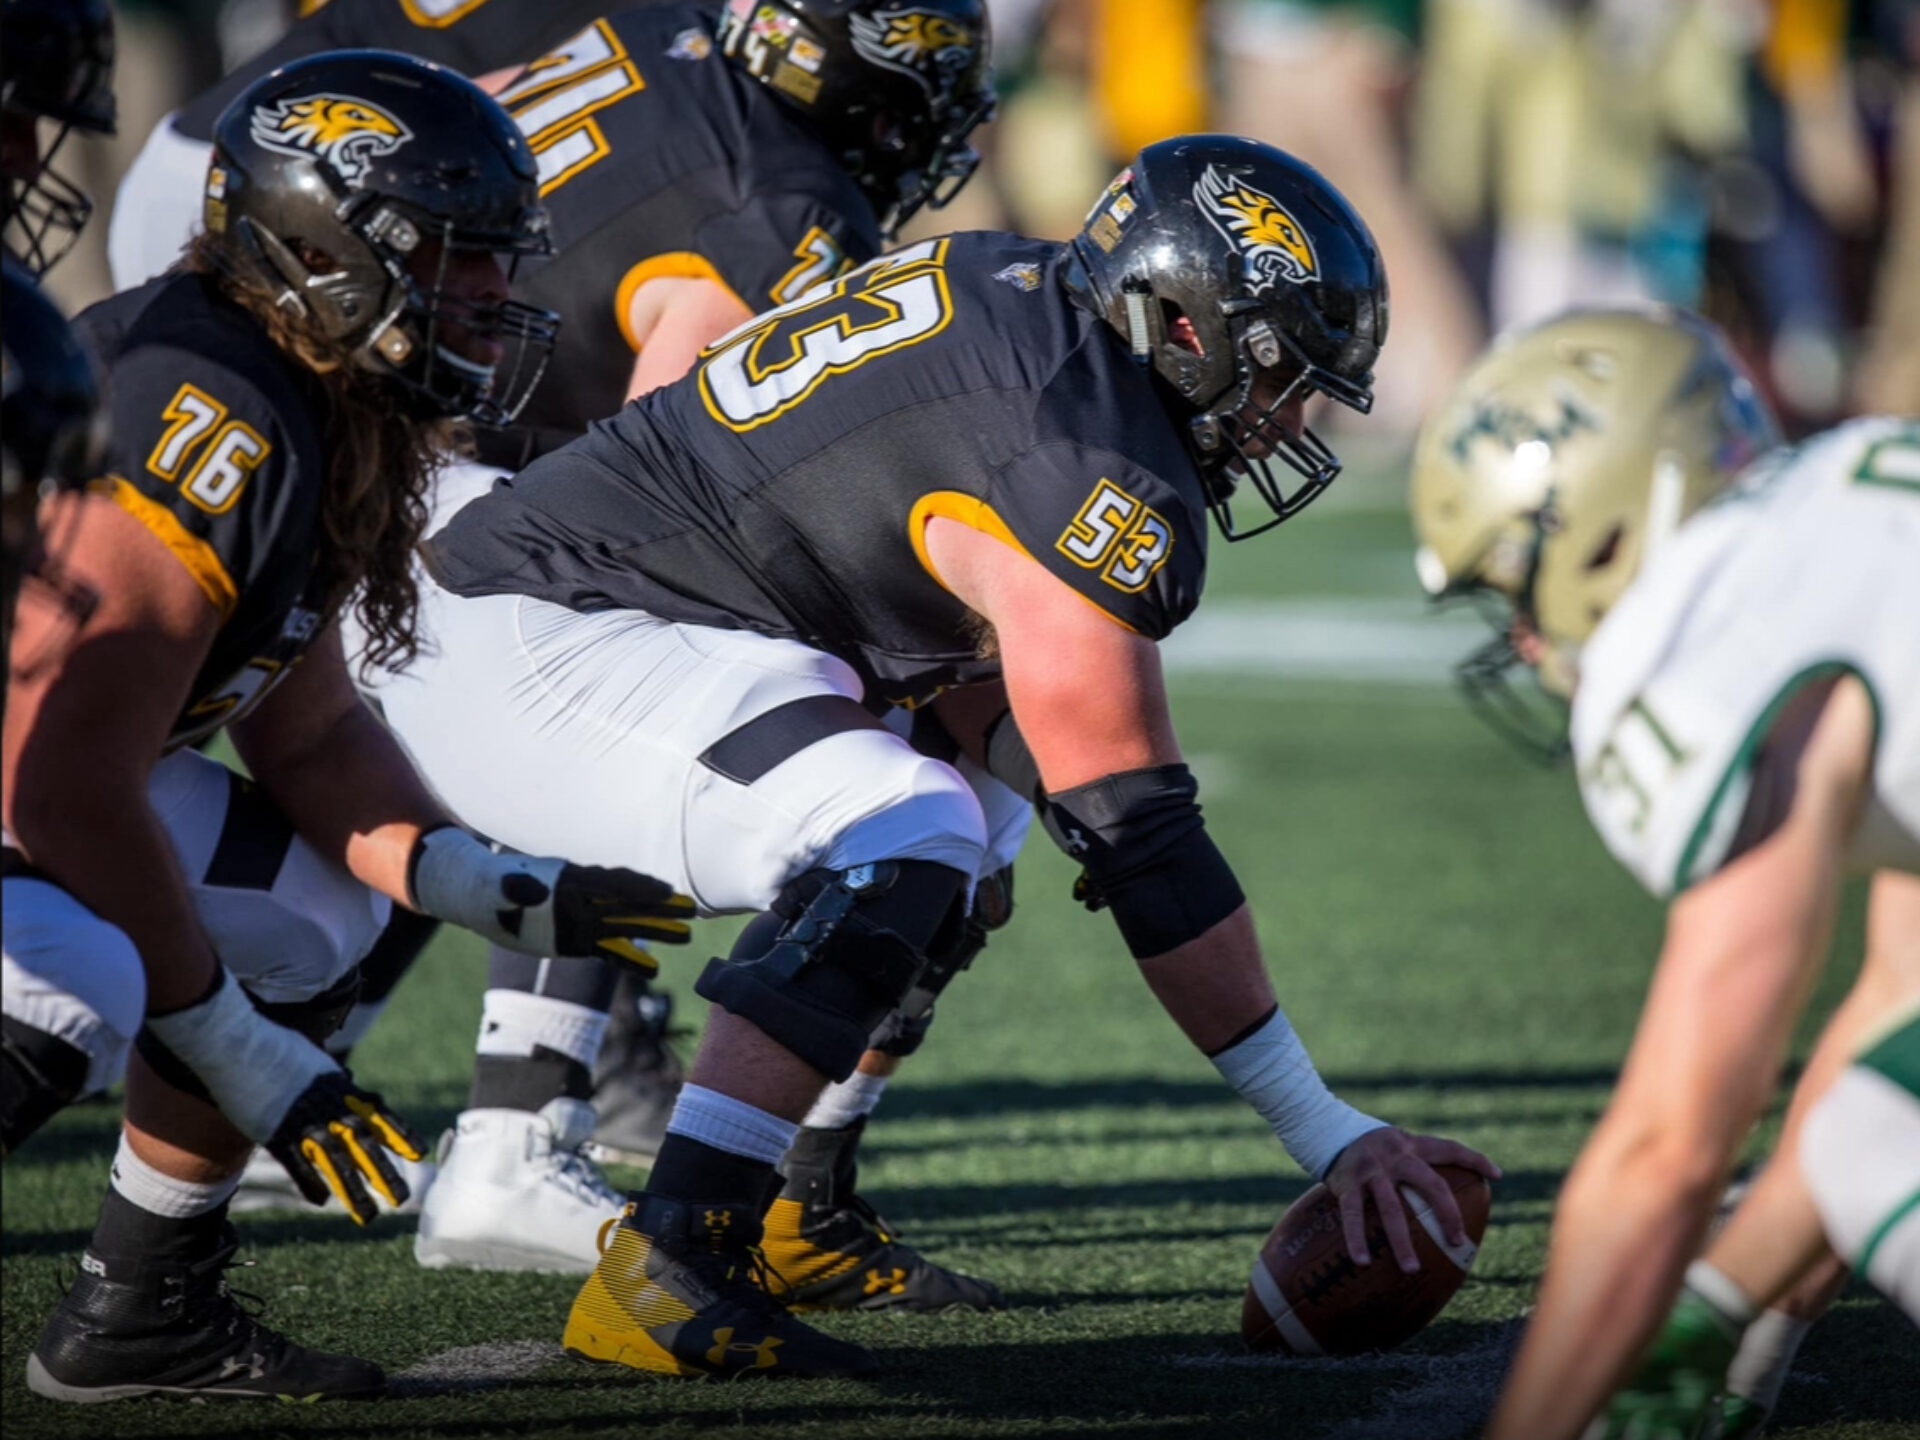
(55, 437)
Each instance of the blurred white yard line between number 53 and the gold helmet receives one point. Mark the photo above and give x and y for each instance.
(1368, 640)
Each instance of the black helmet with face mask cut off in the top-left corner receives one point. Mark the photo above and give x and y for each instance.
(57, 64)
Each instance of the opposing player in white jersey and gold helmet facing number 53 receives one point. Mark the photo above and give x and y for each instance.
(1739, 631)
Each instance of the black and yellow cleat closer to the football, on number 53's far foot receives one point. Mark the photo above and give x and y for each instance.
(828, 1249)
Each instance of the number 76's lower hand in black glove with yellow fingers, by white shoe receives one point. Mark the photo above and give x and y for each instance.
(335, 1140)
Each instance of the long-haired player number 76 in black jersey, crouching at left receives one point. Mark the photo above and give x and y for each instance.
(279, 406)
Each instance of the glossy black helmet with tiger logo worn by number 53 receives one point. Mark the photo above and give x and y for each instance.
(1245, 281)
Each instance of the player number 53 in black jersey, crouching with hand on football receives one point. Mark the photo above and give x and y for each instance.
(972, 475)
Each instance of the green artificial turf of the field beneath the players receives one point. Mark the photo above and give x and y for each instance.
(1452, 942)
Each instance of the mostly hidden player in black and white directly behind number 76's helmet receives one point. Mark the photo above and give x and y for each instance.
(158, 206)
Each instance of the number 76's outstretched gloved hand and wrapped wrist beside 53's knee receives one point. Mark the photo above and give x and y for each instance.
(546, 905)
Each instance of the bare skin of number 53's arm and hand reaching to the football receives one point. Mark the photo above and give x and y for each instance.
(1092, 704)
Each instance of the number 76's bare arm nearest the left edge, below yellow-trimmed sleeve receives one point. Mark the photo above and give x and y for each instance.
(85, 729)
